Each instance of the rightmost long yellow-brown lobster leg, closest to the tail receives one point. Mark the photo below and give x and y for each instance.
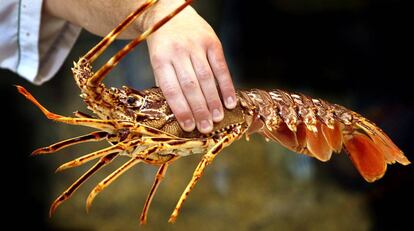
(206, 160)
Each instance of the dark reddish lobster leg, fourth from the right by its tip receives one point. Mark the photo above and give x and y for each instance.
(72, 189)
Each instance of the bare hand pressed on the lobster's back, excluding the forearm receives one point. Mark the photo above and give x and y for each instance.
(187, 59)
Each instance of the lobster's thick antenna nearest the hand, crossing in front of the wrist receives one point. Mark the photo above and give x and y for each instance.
(104, 70)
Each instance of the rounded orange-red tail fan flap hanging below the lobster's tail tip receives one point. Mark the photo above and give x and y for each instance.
(367, 158)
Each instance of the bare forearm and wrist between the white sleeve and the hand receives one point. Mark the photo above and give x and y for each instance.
(101, 16)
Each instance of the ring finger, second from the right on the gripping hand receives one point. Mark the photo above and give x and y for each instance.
(208, 85)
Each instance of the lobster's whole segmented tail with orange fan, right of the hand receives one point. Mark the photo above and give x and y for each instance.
(317, 128)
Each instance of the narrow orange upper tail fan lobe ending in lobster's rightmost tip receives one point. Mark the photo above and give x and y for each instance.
(390, 151)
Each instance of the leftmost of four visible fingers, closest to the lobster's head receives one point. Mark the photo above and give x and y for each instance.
(171, 89)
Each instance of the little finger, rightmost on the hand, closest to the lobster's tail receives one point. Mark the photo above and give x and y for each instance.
(221, 72)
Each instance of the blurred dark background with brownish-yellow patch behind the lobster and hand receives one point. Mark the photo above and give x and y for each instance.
(351, 52)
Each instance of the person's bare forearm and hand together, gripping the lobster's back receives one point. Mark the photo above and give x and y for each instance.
(186, 55)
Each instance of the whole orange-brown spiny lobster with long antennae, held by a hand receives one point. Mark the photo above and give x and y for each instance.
(140, 125)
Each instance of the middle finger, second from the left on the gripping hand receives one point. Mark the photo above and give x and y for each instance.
(192, 92)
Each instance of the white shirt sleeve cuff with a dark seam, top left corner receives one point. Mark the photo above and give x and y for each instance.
(31, 44)
